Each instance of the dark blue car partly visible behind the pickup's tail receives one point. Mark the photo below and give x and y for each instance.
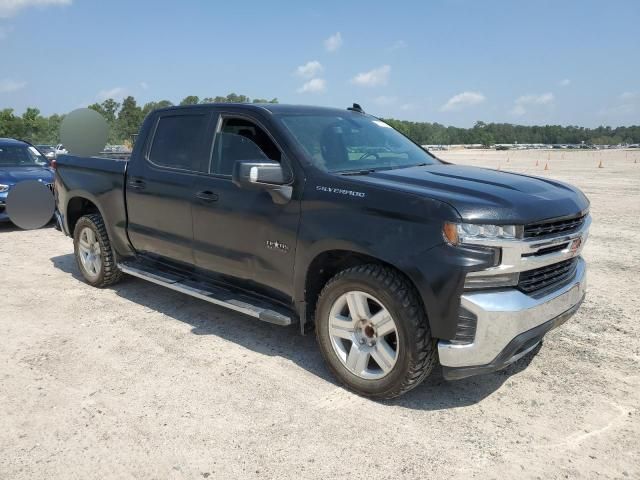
(20, 161)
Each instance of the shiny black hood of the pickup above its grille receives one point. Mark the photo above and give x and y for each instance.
(484, 195)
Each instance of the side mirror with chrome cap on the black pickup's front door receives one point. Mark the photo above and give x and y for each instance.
(263, 175)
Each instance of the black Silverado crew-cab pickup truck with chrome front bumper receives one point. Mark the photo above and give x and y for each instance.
(333, 220)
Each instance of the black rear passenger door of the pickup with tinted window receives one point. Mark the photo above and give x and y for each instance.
(160, 184)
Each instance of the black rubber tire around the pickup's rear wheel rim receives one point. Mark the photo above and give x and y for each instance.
(109, 272)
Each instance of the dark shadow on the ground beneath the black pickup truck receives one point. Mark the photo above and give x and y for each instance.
(206, 319)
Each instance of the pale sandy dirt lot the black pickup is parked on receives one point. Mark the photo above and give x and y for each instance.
(137, 381)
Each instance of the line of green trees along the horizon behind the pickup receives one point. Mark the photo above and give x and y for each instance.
(124, 119)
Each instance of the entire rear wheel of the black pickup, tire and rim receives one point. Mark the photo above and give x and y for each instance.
(94, 256)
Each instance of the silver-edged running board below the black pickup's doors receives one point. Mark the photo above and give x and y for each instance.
(209, 293)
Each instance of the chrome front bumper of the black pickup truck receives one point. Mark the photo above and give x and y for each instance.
(509, 325)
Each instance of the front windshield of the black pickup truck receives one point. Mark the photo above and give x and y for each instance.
(354, 143)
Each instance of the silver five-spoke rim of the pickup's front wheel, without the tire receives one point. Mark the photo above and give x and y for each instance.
(364, 335)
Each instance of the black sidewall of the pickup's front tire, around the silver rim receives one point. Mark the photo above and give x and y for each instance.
(356, 281)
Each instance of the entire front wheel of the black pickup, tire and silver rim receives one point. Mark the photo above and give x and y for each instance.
(373, 331)
